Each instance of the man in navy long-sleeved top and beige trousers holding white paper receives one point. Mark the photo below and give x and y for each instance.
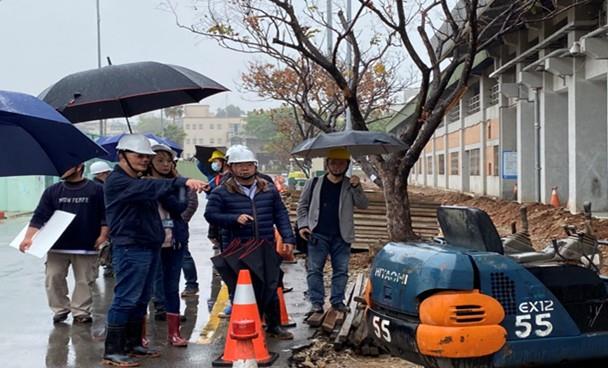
(77, 246)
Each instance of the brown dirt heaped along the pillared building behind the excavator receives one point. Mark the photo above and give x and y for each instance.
(545, 222)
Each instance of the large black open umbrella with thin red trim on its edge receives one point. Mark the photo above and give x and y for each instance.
(126, 90)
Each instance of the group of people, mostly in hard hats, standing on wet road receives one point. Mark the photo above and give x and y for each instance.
(143, 206)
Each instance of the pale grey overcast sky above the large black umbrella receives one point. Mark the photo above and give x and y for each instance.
(44, 40)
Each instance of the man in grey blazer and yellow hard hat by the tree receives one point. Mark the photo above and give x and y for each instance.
(325, 219)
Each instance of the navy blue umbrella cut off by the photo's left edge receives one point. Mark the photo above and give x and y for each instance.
(37, 140)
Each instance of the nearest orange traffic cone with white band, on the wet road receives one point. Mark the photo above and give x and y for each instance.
(245, 308)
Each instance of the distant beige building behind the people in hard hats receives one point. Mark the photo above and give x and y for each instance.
(203, 128)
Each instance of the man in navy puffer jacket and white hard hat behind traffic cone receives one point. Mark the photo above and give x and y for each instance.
(247, 207)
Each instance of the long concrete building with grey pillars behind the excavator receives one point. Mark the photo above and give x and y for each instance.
(534, 117)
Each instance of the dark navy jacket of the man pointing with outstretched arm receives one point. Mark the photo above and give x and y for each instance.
(132, 207)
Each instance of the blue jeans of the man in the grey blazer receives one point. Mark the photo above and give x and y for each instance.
(319, 247)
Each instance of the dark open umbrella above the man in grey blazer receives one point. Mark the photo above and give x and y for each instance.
(357, 142)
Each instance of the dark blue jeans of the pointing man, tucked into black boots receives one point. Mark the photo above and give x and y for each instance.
(134, 270)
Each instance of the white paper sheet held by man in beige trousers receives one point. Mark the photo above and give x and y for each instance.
(47, 236)
